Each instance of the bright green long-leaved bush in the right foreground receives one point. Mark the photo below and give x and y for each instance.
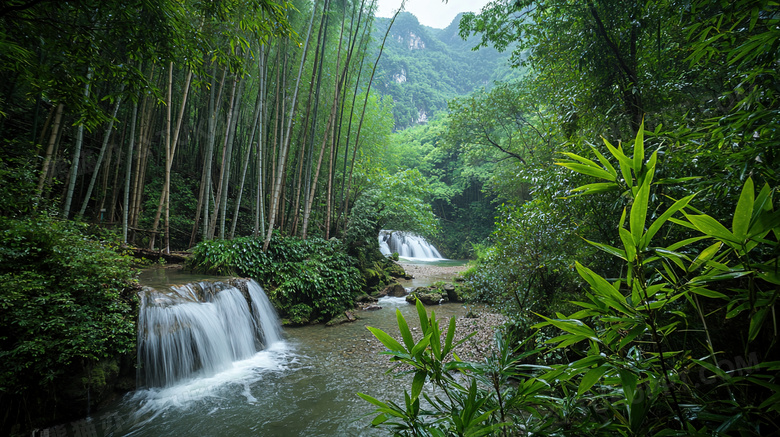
(682, 344)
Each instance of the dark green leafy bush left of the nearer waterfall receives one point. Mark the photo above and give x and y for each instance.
(64, 308)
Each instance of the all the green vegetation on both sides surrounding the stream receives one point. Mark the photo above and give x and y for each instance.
(265, 126)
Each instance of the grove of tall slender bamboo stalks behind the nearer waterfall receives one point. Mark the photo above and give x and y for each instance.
(178, 122)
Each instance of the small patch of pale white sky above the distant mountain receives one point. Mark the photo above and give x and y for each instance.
(432, 13)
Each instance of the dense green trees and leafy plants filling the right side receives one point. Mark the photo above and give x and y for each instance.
(641, 277)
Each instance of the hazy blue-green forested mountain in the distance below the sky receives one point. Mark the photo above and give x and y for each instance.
(422, 67)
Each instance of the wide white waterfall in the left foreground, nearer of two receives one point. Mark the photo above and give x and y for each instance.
(200, 329)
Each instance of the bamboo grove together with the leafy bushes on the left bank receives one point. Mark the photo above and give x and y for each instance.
(171, 123)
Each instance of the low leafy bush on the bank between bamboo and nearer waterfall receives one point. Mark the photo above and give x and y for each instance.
(308, 280)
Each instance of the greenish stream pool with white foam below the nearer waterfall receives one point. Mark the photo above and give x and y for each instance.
(302, 385)
